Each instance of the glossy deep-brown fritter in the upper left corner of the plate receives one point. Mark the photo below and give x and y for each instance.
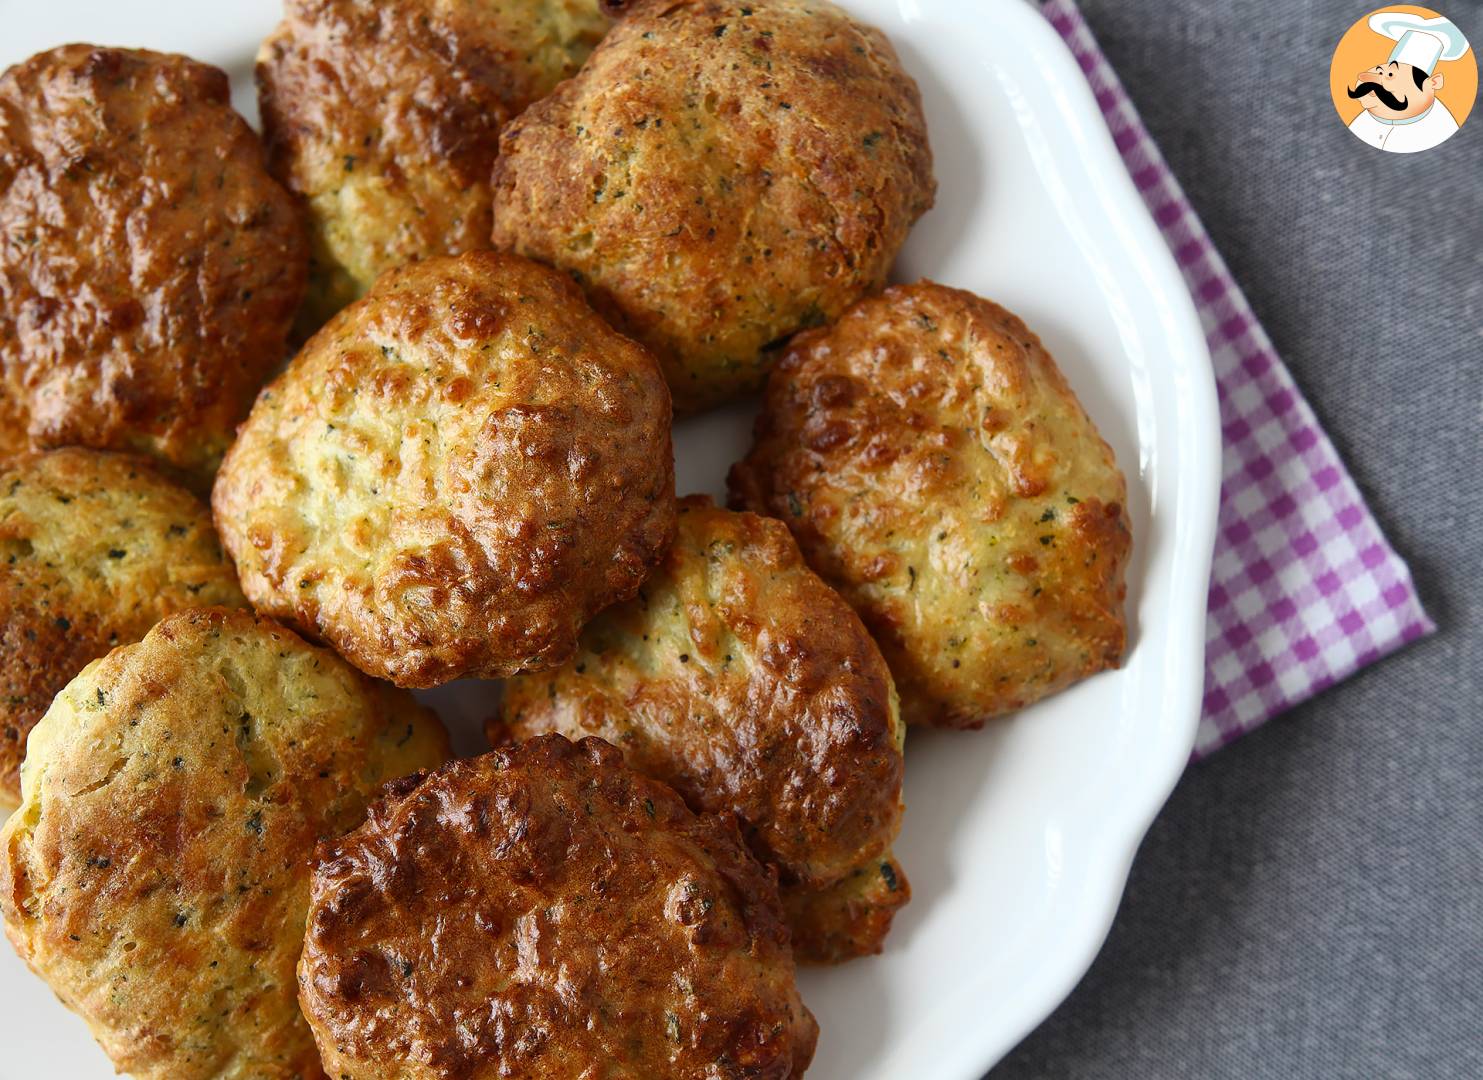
(151, 266)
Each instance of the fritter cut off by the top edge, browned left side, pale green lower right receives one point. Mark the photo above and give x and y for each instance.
(386, 118)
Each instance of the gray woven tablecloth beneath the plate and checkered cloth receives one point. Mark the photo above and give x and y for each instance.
(1310, 904)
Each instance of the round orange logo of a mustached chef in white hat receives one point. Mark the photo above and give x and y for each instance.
(1404, 79)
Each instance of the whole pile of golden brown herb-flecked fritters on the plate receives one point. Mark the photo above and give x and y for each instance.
(527, 241)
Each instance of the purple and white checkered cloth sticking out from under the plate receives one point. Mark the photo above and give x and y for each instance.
(1306, 590)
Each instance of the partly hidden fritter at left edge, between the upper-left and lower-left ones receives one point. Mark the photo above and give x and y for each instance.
(94, 550)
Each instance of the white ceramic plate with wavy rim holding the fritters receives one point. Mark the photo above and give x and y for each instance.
(1018, 839)
